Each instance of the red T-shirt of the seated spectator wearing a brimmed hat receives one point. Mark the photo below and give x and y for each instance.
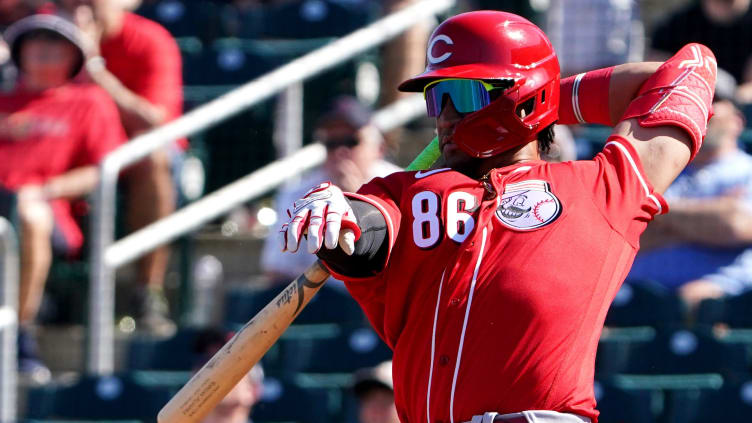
(43, 135)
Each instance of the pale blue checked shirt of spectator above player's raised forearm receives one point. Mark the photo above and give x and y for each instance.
(592, 34)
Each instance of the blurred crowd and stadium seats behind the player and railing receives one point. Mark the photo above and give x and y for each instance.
(80, 78)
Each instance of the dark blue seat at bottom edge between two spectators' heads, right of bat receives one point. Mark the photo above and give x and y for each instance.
(283, 400)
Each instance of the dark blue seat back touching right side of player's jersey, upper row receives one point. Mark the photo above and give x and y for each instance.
(644, 303)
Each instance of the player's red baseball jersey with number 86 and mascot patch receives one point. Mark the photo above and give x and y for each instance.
(495, 291)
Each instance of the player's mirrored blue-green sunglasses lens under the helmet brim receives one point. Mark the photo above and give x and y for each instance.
(467, 96)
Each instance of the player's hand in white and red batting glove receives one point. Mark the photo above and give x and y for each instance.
(326, 216)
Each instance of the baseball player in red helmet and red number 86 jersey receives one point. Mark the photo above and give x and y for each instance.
(490, 274)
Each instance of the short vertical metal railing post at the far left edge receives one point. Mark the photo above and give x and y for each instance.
(9, 268)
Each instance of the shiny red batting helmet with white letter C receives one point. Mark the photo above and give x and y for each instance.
(491, 45)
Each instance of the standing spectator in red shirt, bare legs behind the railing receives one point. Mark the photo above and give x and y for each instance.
(138, 63)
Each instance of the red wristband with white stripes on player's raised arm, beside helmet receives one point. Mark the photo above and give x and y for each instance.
(585, 98)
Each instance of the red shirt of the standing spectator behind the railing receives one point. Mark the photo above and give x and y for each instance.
(146, 59)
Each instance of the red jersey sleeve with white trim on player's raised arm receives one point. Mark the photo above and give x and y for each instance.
(619, 188)
